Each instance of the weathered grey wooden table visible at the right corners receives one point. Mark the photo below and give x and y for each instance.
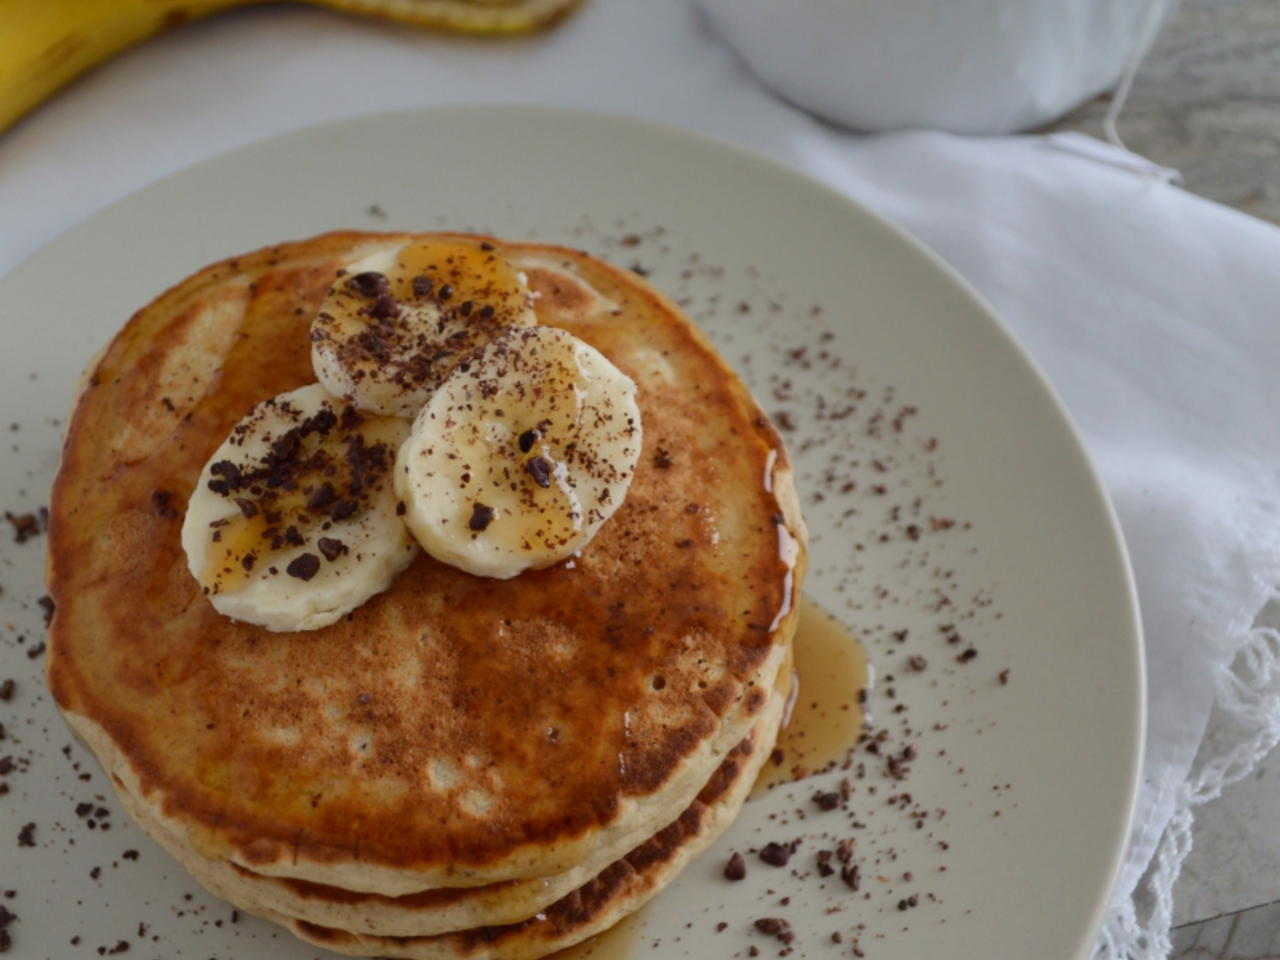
(1208, 103)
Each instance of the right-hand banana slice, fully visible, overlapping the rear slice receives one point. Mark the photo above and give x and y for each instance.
(522, 455)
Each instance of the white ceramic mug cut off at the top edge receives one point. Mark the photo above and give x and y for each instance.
(963, 66)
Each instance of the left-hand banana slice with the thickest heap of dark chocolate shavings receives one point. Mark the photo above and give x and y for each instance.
(294, 522)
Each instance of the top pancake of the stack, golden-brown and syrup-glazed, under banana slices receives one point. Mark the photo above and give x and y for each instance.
(454, 730)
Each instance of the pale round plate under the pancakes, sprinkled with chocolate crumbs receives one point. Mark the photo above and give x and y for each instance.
(1027, 784)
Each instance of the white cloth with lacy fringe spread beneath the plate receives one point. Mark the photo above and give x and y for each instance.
(1154, 313)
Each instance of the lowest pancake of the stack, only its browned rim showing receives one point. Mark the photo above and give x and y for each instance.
(618, 892)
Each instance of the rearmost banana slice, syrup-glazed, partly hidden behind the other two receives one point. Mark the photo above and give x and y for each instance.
(396, 324)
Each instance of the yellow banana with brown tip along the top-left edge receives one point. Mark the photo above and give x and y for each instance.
(47, 44)
